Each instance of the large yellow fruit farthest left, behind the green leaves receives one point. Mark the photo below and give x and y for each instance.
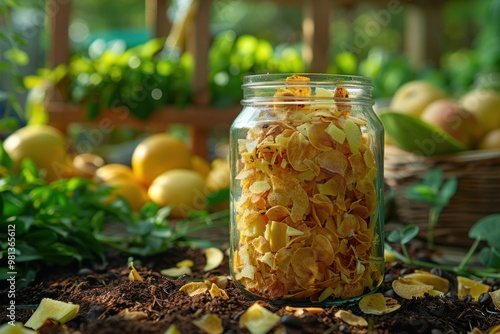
(43, 144)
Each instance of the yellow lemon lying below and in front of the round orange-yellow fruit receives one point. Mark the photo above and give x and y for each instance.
(182, 189)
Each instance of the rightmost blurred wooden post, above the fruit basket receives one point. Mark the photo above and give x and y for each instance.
(422, 35)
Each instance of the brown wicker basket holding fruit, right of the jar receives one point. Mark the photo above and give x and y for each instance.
(478, 191)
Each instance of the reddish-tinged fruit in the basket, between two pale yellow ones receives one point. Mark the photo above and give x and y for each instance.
(459, 123)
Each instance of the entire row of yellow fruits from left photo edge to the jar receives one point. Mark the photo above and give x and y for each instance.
(163, 168)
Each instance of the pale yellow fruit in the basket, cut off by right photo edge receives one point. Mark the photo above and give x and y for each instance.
(485, 105)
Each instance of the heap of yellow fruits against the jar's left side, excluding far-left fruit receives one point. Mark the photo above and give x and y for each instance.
(165, 171)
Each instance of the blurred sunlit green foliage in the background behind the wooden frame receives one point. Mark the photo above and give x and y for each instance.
(144, 77)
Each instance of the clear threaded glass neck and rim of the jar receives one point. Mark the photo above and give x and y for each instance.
(261, 89)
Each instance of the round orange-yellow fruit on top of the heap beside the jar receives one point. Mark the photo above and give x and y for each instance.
(159, 153)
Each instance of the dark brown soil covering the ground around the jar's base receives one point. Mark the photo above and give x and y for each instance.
(103, 291)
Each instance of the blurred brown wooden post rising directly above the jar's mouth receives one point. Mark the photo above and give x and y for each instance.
(316, 30)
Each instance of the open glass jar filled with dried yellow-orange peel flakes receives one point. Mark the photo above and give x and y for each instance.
(306, 156)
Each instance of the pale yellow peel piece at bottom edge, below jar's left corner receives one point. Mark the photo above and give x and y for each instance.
(257, 319)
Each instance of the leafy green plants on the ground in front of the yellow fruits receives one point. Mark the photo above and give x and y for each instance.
(71, 220)
